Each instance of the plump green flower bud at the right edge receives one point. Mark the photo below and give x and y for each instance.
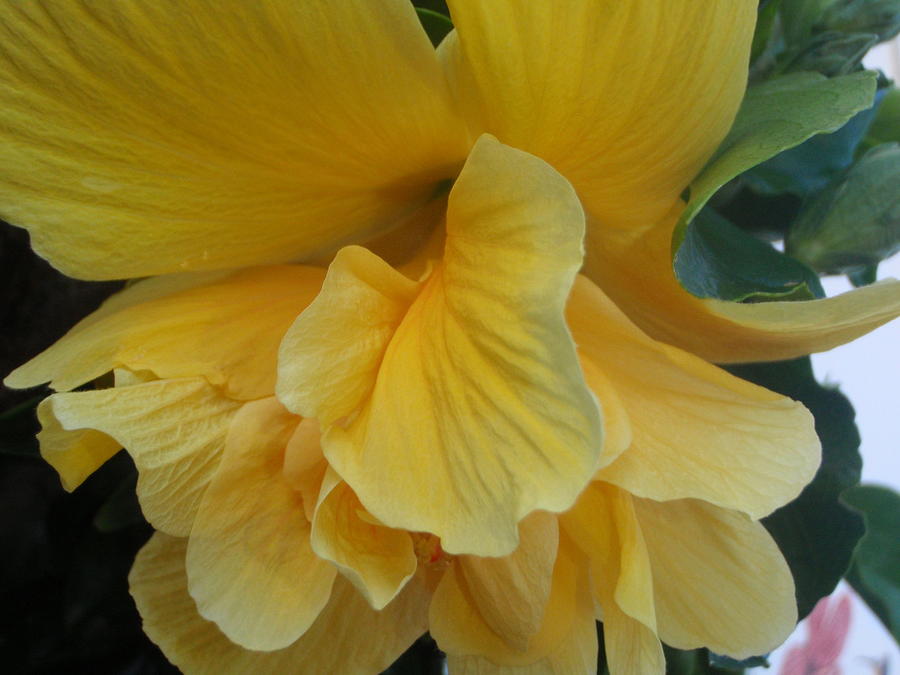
(854, 222)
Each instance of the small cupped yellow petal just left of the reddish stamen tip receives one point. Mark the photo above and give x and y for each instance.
(377, 560)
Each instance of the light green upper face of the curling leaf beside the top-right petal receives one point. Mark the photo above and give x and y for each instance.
(777, 115)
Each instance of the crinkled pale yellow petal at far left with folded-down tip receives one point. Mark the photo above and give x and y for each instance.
(173, 429)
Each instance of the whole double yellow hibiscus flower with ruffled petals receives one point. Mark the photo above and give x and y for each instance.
(456, 403)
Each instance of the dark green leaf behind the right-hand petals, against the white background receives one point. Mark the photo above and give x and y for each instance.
(816, 532)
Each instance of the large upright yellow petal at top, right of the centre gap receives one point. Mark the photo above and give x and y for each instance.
(626, 99)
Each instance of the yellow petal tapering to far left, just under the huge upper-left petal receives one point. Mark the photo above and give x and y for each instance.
(224, 327)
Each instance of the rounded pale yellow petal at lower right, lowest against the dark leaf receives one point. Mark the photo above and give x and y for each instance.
(720, 580)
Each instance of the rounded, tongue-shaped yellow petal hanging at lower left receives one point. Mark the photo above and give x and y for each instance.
(250, 565)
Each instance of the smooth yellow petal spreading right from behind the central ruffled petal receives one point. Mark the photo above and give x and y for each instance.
(697, 430)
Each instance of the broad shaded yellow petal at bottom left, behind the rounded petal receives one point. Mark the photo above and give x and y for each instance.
(349, 637)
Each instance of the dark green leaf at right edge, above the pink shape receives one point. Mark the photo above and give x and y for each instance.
(875, 574)
